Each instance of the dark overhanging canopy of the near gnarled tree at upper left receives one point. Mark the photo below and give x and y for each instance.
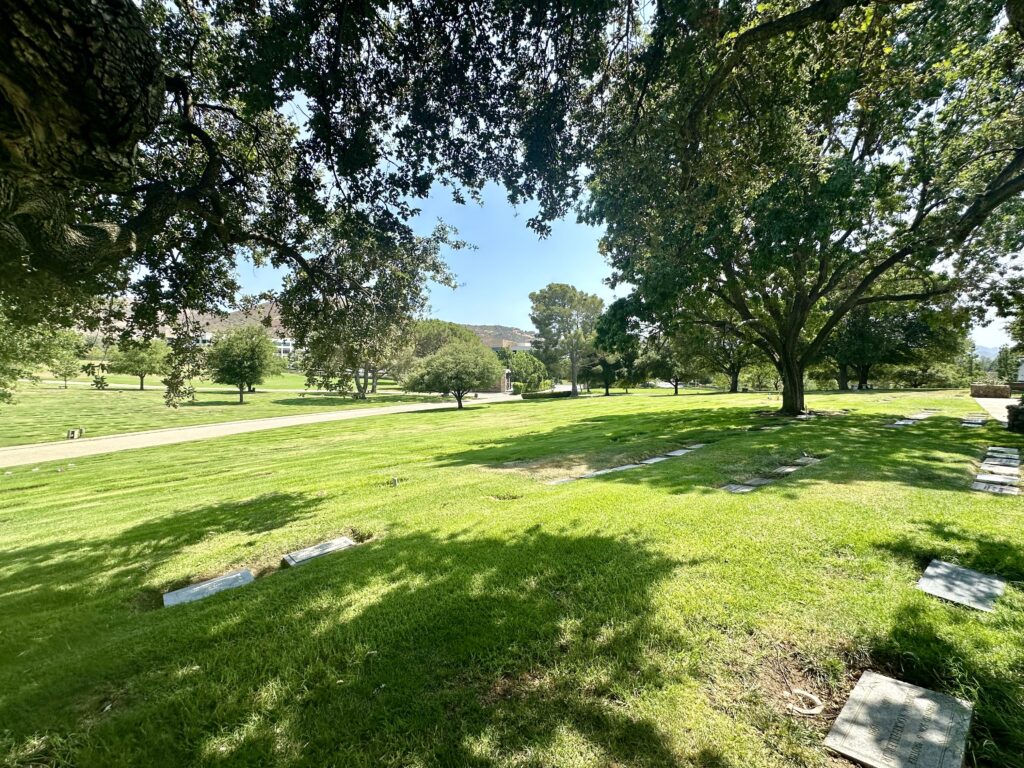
(146, 148)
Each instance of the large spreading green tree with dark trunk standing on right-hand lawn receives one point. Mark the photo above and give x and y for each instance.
(767, 169)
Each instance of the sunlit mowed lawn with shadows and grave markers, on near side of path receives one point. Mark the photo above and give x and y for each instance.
(641, 619)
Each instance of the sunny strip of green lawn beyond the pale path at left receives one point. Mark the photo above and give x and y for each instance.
(44, 413)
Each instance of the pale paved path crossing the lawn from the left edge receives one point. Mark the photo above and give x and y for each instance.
(68, 450)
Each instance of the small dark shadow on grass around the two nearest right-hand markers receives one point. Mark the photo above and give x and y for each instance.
(945, 648)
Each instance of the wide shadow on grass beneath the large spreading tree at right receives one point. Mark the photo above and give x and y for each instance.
(859, 447)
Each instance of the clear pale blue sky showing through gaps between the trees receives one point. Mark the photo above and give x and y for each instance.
(511, 262)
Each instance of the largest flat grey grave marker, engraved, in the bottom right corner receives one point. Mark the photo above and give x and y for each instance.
(888, 723)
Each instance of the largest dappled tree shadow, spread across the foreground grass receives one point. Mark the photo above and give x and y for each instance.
(414, 650)
